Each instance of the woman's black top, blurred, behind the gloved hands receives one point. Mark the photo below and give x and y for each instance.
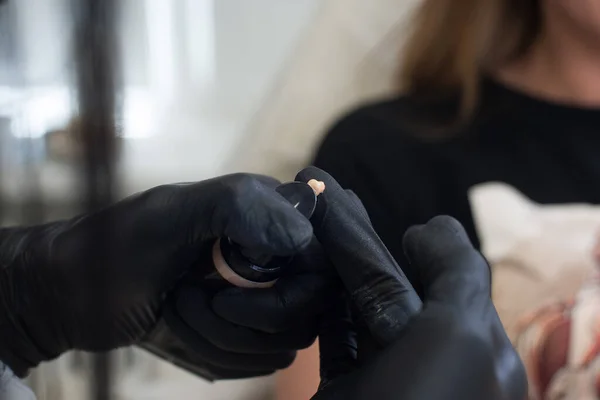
(404, 175)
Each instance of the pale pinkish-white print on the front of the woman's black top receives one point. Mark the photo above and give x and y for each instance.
(546, 287)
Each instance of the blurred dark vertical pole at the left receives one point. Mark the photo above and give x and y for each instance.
(96, 71)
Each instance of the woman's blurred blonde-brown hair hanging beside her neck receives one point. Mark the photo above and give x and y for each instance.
(453, 42)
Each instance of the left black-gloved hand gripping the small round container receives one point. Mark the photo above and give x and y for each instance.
(98, 282)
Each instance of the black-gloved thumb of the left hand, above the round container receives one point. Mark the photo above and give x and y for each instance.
(247, 209)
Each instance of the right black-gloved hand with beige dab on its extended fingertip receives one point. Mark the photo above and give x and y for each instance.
(388, 345)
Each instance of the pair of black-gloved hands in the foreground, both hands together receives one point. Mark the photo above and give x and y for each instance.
(50, 305)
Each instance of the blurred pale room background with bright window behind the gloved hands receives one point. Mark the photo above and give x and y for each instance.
(208, 87)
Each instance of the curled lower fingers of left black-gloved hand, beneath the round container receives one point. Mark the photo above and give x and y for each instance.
(247, 332)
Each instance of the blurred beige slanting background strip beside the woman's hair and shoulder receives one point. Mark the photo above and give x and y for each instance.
(349, 55)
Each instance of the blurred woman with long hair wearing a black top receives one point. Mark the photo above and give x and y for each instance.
(492, 91)
